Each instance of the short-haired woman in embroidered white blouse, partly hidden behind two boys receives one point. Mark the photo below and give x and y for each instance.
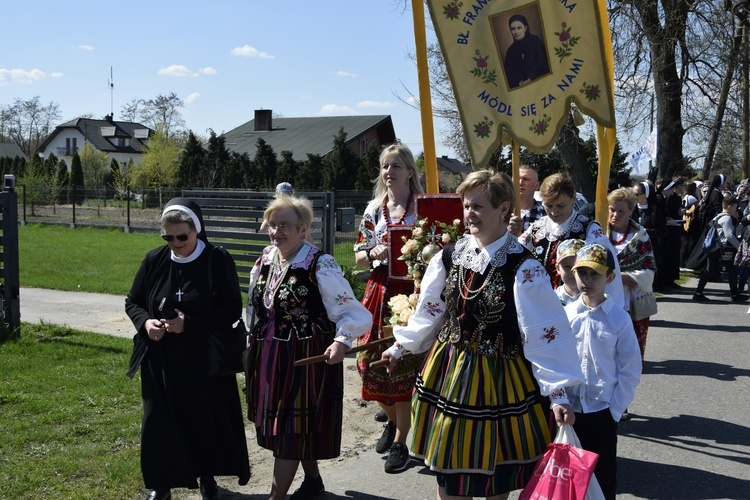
(564, 222)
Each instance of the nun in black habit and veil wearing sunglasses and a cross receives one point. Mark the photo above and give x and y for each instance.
(192, 423)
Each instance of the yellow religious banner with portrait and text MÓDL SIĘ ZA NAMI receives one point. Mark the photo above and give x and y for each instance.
(516, 65)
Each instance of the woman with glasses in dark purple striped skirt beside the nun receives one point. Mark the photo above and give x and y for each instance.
(304, 307)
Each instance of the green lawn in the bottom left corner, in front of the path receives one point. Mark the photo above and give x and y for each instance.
(69, 417)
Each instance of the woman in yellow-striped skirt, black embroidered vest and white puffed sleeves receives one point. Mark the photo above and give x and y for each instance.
(500, 353)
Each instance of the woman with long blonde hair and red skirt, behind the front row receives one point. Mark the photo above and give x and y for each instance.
(392, 204)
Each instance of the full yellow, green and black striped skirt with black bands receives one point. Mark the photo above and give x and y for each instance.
(478, 421)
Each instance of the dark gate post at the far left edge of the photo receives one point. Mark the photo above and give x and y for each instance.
(11, 308)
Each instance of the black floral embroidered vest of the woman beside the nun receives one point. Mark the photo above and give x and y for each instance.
(298, 306)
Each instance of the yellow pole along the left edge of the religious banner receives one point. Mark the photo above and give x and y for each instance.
(425, 98)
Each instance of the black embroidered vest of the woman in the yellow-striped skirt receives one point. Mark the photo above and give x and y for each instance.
(487, 321)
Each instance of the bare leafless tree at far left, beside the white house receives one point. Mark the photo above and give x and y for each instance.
(28, 123)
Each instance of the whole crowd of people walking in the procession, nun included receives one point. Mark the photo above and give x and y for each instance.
(527, 322)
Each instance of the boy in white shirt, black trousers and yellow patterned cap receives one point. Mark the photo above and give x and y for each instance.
(610, 361)
